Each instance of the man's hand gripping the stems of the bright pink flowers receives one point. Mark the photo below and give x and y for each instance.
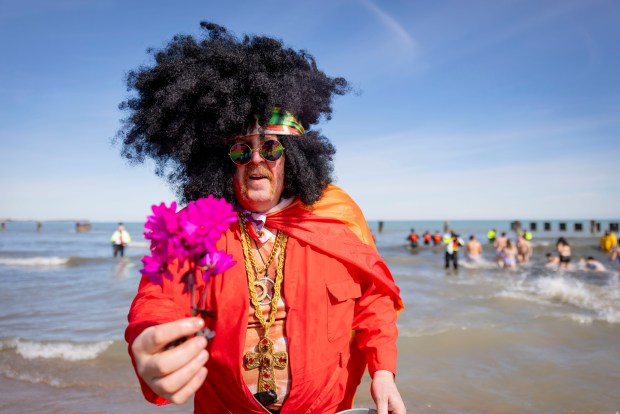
(172, 373)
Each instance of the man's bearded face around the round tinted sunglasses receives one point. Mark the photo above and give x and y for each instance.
(259, 184)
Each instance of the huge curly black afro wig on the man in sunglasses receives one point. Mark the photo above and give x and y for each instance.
(201, 92)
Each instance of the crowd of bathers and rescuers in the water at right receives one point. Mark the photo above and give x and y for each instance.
(509, 254)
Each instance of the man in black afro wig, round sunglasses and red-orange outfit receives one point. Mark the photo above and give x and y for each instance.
(309, 304)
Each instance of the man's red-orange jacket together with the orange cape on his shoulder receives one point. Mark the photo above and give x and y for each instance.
(334, 282)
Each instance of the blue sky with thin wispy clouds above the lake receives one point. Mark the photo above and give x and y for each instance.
(463, 109)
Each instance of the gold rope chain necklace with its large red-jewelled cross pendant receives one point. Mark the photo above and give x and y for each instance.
(265, 359)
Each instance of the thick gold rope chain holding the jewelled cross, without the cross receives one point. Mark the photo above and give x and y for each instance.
(250, 268)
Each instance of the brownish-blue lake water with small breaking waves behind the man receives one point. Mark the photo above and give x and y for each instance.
(477, 340)
